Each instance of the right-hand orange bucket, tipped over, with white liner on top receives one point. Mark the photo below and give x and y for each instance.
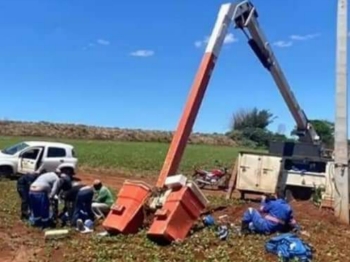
(180, 211)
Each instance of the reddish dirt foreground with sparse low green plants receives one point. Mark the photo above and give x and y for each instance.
(19, 242)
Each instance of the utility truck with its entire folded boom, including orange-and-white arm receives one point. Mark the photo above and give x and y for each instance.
(296, 168)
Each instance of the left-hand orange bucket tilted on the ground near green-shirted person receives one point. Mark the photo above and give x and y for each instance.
(126, 215)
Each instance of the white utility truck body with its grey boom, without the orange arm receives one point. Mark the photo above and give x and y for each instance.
(297, 169)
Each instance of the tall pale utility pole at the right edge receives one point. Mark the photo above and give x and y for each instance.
(341, 197)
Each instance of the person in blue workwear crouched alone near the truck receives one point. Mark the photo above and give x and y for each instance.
(277, 216)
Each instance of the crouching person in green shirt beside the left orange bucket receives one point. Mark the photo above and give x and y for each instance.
(103, 200)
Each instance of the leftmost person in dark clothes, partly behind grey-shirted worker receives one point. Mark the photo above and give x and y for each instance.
(23, 187)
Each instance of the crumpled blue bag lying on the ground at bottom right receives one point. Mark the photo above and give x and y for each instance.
(289, 246)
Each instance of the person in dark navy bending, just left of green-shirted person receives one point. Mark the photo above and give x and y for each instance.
(82, 206)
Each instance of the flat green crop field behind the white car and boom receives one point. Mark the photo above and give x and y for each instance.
(139, 156)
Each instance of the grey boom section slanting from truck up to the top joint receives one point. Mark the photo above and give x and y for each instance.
(245, 18)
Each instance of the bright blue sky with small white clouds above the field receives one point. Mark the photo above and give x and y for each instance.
(131, 63)
